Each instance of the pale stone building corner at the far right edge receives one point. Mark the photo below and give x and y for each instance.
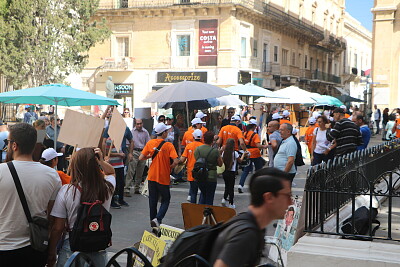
(386, 47)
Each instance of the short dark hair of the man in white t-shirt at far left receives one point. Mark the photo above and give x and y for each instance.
(25, 135)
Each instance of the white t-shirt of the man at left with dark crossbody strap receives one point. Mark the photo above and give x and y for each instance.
(40, 184)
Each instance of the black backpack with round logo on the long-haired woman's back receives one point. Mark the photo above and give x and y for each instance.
(92, 228)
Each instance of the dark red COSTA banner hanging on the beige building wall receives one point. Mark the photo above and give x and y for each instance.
(208, 42)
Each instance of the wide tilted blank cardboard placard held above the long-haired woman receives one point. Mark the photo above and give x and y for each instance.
(81, 129)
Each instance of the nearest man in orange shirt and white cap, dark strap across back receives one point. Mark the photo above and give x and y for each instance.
(158, 176)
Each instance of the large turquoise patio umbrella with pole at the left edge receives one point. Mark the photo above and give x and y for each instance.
(55, 94)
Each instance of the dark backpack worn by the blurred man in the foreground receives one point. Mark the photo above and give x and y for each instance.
(199, 240)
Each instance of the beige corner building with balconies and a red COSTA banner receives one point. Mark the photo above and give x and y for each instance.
(274, 44)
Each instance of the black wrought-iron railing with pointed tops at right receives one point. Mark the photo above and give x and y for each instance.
(372, 173)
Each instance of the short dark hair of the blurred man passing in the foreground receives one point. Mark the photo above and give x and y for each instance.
(266, 180)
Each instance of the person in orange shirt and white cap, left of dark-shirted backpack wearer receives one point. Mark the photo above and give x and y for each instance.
(188, 155)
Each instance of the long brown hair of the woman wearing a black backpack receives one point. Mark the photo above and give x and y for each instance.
(86, 173)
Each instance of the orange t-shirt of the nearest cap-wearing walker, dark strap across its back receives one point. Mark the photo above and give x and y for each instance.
(160, 167)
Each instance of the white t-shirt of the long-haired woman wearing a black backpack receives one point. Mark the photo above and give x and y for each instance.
(66, 206)
